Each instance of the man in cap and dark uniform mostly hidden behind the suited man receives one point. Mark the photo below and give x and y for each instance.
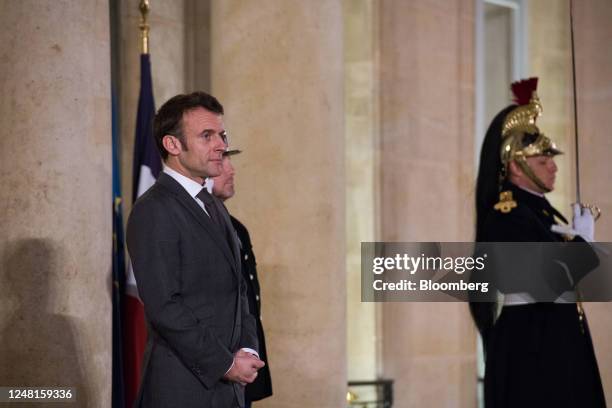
(223, 188)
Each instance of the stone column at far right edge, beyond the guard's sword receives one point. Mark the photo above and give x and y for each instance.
(593, 35)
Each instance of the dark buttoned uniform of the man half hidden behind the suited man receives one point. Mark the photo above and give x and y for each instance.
(262, 386)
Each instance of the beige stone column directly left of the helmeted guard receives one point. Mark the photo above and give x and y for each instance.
(428, 179)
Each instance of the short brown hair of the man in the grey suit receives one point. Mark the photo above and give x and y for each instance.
(169, 118)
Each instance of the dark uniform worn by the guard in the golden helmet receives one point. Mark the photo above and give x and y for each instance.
(538, 354)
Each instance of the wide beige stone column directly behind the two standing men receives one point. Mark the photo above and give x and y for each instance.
(277, 67)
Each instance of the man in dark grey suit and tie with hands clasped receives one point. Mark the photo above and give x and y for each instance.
(202, 341)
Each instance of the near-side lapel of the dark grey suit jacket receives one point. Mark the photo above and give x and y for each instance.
(204, 220)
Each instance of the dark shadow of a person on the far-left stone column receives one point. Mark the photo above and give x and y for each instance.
(38, 347)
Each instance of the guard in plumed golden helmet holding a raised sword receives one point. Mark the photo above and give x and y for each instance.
(537, 354)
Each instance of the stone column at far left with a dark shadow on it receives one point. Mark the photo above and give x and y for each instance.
(55, 167)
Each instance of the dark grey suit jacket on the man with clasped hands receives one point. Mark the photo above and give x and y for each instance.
(188, 275)
